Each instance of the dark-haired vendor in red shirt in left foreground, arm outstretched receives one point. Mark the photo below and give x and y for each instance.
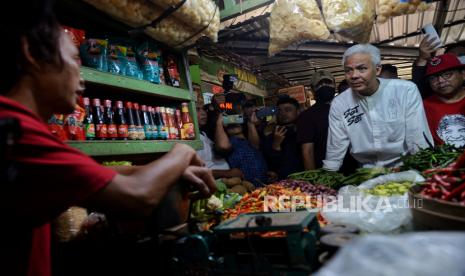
(40, 76)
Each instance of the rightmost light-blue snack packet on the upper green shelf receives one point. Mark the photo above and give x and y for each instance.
(150, 63)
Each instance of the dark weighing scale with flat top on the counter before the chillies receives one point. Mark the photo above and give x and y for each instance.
(291, 252)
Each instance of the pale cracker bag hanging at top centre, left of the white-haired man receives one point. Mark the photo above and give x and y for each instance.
(294, 21)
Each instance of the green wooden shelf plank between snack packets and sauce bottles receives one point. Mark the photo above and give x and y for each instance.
(139, 86)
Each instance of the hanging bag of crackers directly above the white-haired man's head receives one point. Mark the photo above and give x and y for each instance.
(352, 19)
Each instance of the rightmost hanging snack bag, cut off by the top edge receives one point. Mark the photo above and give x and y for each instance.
(390, 8)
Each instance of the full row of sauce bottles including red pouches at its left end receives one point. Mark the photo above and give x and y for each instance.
(98, 120)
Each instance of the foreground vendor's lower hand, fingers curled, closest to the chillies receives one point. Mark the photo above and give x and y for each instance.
(201, 178)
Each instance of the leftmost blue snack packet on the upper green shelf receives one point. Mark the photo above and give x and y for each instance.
(94, 53)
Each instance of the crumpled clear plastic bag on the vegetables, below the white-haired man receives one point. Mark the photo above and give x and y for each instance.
(372, 213)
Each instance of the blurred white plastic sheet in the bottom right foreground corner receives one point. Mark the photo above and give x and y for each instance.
(425, 254)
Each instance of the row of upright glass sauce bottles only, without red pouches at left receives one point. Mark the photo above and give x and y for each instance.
(135, 122)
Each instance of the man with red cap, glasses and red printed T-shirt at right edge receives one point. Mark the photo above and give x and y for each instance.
(445, 109)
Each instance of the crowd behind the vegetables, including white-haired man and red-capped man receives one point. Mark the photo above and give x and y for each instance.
(371, 119)
